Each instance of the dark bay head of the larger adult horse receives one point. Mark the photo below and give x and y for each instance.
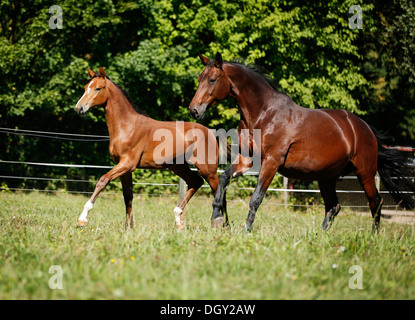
(214, 85)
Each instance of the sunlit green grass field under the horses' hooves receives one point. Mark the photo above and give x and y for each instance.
(287, 256)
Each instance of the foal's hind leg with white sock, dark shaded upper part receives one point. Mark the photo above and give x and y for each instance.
(194, 182)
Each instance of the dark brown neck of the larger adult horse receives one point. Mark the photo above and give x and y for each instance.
(252, 94)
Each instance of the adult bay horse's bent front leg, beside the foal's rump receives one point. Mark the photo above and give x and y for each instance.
(239, 167)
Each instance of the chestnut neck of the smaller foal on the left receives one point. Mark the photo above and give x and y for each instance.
(119, 113)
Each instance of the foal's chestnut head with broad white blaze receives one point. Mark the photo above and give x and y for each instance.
(95, 92)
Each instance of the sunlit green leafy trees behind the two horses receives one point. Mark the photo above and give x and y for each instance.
(150, 48)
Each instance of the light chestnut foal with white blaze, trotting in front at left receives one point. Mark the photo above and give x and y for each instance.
(135, 141)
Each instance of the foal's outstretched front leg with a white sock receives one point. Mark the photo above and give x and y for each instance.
(120, 169)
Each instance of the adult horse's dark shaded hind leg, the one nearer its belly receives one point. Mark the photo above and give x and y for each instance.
(331, 202)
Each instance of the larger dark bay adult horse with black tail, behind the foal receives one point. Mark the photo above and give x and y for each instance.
(299, 143)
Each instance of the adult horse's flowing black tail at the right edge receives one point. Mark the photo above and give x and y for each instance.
(397, 171)
